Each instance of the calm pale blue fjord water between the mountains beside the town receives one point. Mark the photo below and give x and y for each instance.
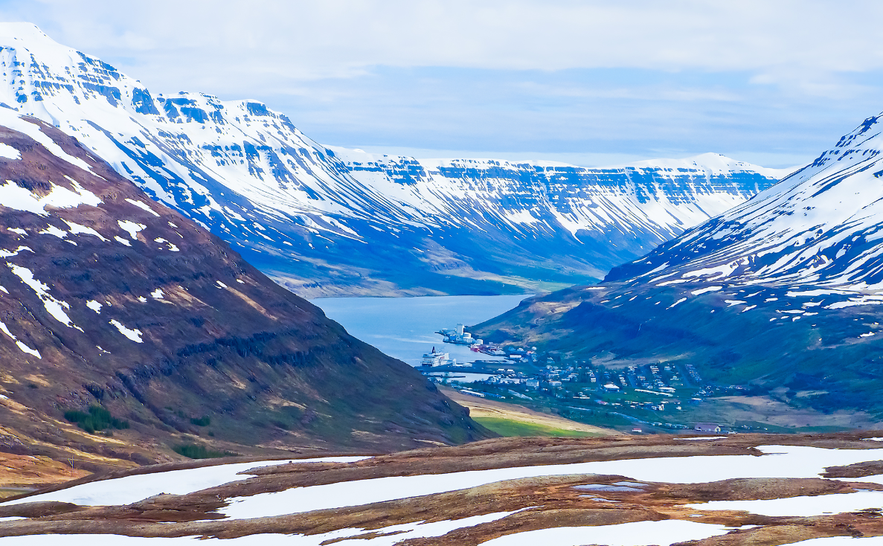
(404, 328)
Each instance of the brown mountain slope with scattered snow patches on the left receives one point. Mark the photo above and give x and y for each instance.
(123, 303)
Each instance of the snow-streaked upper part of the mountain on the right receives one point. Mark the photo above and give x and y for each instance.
(821, 225)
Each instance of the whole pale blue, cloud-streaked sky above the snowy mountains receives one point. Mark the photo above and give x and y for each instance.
(586, 82)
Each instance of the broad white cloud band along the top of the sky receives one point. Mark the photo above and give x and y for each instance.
(336, 38)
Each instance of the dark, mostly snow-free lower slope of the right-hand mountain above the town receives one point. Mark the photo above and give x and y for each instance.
(817, 363)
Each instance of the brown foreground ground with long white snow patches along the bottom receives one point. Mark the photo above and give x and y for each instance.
(504, 490)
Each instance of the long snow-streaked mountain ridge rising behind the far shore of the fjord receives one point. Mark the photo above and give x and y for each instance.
(326, 220)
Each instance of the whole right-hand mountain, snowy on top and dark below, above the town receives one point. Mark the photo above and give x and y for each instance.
(781, 294)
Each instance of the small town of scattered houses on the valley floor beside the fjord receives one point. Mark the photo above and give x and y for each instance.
(640, 398)
